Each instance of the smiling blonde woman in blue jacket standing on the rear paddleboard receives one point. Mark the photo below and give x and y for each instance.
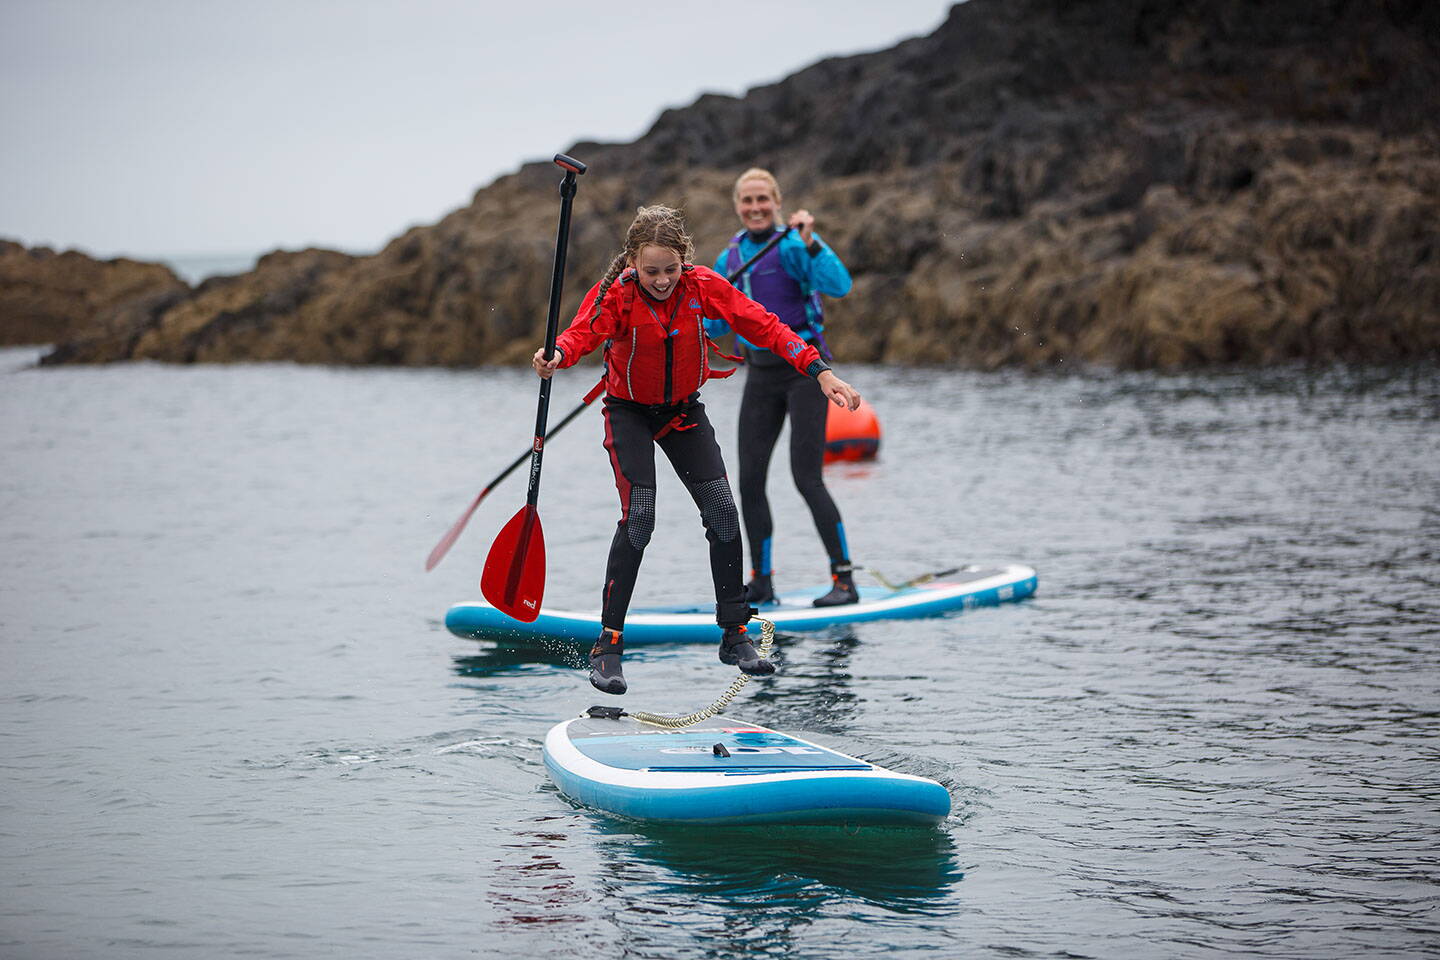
(788, 281)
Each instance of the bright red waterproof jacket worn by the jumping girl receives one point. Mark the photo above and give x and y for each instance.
(657, 352)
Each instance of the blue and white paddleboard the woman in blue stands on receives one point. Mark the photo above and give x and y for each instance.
(960, 591)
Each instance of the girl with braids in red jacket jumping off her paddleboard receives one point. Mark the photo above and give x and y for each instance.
(650, 313)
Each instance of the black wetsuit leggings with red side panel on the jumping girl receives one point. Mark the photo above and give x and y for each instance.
(633, 431)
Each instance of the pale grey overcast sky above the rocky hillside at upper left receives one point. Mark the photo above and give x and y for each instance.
(207, 127)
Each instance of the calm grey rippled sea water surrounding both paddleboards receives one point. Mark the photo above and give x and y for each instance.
(234, 725)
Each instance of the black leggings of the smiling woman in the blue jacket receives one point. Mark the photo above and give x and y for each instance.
(771, 392)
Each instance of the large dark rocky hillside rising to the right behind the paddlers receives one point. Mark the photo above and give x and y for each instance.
(1138, 184)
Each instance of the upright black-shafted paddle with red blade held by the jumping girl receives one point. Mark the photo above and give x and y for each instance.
(513, 581)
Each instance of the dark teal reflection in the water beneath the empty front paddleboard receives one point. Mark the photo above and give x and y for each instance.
(770, 892)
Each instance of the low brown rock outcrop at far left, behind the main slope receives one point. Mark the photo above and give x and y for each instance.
(48, 297)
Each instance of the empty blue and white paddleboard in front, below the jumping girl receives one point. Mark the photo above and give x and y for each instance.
(728, 772)
